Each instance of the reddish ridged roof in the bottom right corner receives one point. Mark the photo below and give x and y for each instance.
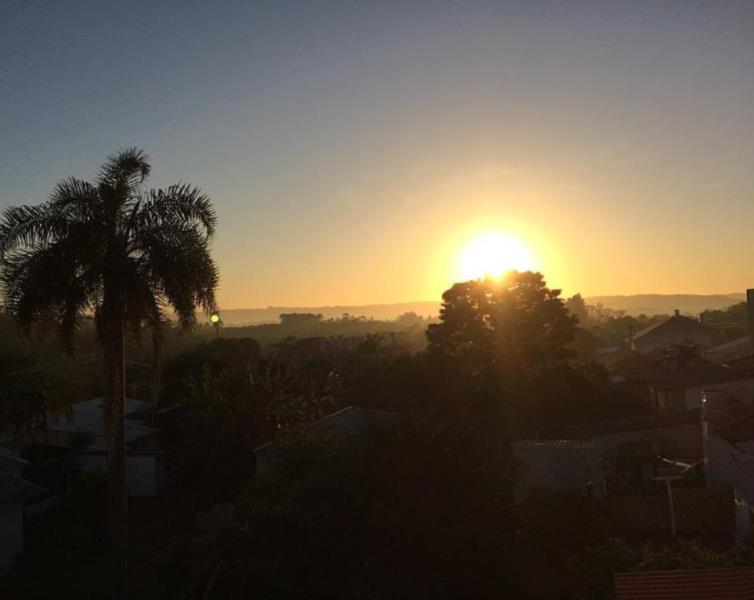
(735, 583)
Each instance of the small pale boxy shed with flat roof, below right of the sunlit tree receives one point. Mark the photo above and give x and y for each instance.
(560, 465)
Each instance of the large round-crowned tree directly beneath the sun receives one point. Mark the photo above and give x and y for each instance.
(496, 337)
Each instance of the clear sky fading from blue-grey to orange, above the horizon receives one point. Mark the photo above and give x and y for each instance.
(354, 149)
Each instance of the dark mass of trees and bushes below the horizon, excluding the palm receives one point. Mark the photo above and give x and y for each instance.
(418, 505)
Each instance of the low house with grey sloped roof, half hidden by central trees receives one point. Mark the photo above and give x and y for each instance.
(347, 422)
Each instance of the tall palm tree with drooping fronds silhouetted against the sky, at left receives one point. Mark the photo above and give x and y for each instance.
(119, 252)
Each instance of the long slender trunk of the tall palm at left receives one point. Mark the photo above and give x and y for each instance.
(115, 393)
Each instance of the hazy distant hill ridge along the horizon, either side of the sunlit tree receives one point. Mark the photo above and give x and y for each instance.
(636, 304)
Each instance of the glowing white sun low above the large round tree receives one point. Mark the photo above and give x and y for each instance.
(493, 254)
